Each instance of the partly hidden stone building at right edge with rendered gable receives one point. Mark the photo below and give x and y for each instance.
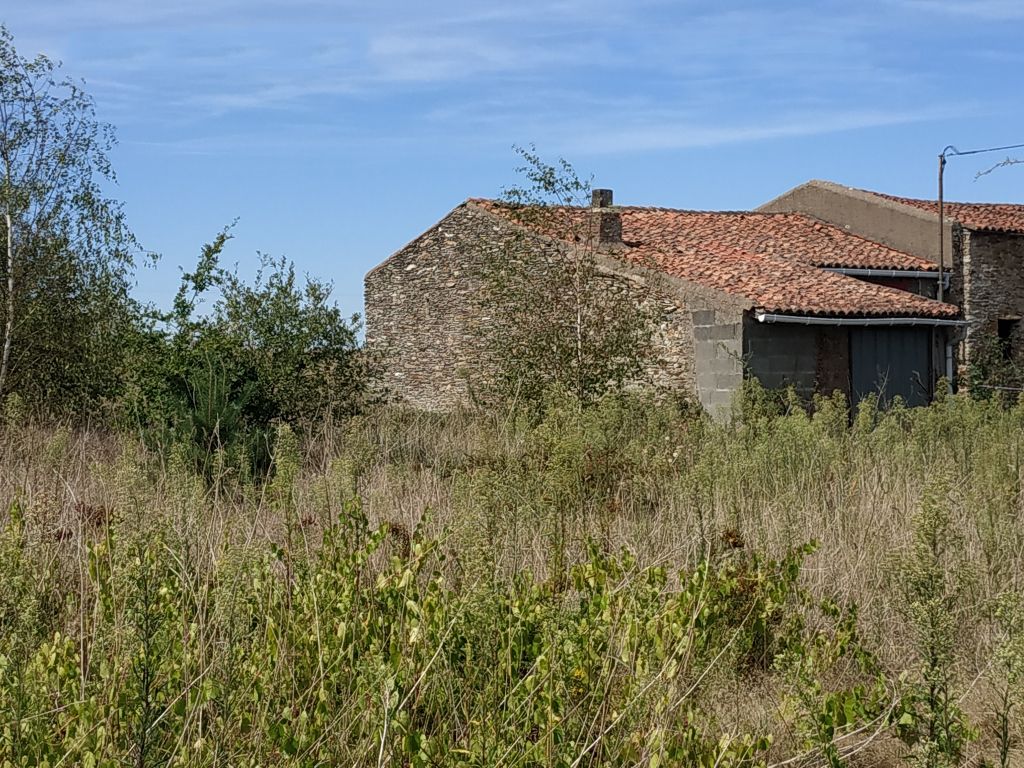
(983, 246)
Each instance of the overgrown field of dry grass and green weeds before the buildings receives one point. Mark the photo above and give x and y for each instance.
(624, 585)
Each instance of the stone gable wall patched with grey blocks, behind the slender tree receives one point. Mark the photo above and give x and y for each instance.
(424, 318)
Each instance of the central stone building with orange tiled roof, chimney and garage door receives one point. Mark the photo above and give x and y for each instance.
(782, 295)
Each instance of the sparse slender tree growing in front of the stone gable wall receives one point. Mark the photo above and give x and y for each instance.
(560, 319)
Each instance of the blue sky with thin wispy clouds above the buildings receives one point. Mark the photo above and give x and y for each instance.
(336, 132)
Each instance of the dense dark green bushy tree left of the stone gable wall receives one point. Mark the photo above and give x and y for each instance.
(274, 351)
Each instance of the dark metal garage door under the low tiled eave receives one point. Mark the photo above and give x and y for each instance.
(891, 362)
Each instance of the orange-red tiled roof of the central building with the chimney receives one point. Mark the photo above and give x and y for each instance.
(753, 257)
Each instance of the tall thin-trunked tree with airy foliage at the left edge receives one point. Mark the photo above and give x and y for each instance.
(67, 250)
